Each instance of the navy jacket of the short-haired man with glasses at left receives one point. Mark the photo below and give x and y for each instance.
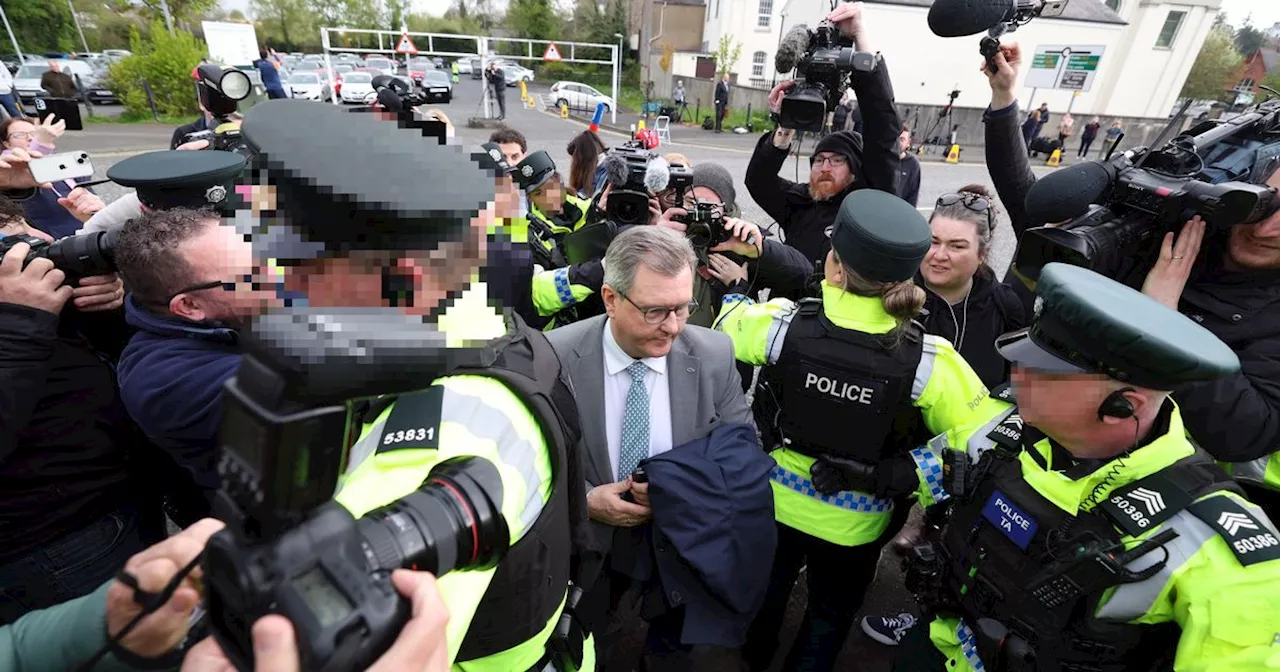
(172, 377)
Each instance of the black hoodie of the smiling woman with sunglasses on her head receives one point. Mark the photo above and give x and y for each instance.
(973, 324)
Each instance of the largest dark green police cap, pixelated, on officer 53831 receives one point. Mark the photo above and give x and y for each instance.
(356, 182)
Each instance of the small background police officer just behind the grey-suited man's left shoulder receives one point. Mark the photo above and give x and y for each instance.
(555, 216)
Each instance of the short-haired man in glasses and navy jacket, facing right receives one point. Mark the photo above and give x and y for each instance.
(185, 271)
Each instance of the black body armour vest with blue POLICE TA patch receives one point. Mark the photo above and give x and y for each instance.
(1005, 542)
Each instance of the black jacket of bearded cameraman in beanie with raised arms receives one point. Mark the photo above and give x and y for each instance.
(803, 220)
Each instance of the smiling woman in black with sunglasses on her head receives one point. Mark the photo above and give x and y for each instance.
(966, 303)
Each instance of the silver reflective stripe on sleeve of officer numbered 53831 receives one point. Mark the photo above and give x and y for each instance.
(482, 423)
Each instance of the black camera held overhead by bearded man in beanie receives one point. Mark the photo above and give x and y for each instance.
(822, 79)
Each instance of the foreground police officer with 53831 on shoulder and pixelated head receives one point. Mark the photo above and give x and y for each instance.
(348, 237)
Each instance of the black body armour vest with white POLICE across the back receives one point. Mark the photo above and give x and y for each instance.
(843, 392)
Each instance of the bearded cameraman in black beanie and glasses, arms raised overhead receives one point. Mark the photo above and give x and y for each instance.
(839, 164)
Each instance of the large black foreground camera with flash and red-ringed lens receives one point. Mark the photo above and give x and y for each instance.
(305, 383)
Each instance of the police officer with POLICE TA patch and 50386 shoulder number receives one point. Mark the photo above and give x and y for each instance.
(1086, 532)
